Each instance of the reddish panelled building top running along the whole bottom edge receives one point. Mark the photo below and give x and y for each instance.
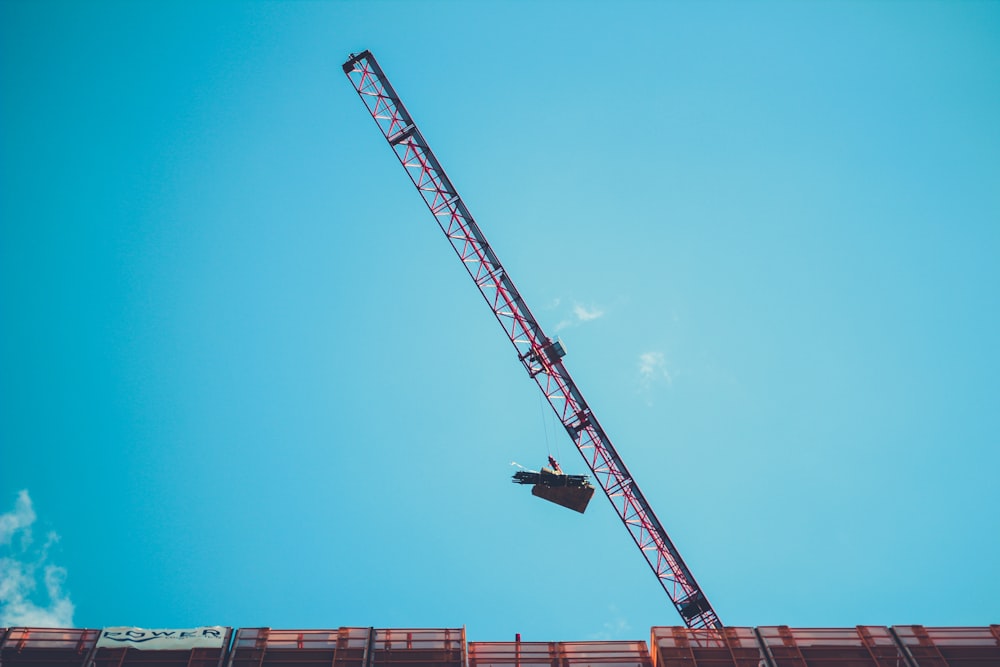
(768, 646)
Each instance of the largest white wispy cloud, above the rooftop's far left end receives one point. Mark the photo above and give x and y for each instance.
(22, 564)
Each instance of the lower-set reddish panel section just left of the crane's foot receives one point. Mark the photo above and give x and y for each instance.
(559, 654)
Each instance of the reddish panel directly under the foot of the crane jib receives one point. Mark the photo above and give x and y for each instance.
(687, 647)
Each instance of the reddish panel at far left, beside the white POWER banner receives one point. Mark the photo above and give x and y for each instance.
(47, 647)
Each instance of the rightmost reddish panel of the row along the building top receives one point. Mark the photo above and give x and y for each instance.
(951, 647)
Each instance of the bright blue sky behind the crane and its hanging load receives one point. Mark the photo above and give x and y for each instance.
(244, 380)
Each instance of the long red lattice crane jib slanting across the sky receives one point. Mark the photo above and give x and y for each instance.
(540, 355)
